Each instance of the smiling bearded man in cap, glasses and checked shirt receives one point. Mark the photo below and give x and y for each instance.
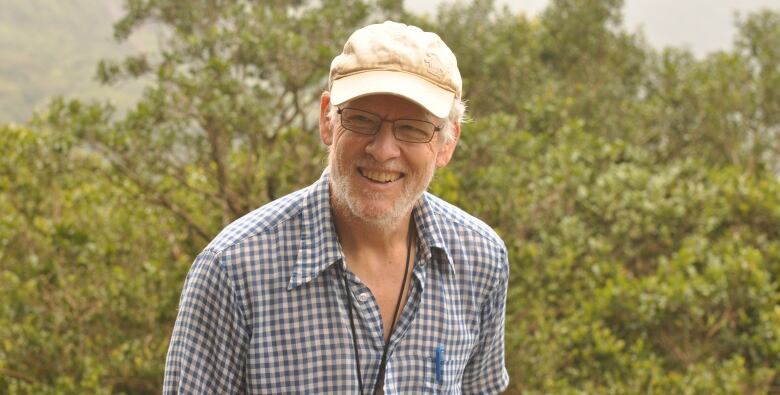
(362, 282)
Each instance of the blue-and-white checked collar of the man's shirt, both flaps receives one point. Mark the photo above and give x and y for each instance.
(320, 248)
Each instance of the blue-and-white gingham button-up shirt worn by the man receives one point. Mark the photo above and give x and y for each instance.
(263, 310)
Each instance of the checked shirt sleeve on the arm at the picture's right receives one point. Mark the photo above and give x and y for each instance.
(486, 372)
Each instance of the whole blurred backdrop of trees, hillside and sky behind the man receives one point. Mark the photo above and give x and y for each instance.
(627, 152)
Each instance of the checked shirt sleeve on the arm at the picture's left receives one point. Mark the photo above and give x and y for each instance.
(208, 347)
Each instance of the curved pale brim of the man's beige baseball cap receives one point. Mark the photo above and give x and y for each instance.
(436, 100)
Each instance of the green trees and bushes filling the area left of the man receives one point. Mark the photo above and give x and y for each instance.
(106, 211)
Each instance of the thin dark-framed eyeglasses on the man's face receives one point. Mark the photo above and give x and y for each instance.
(409, 130)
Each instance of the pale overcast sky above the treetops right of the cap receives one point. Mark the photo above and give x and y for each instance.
(703, 26)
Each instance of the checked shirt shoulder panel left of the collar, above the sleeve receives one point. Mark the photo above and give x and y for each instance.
(262, 220)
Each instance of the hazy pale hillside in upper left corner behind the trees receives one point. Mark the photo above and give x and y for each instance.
(50, 48)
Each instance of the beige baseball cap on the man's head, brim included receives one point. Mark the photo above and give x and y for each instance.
(397, 59)
